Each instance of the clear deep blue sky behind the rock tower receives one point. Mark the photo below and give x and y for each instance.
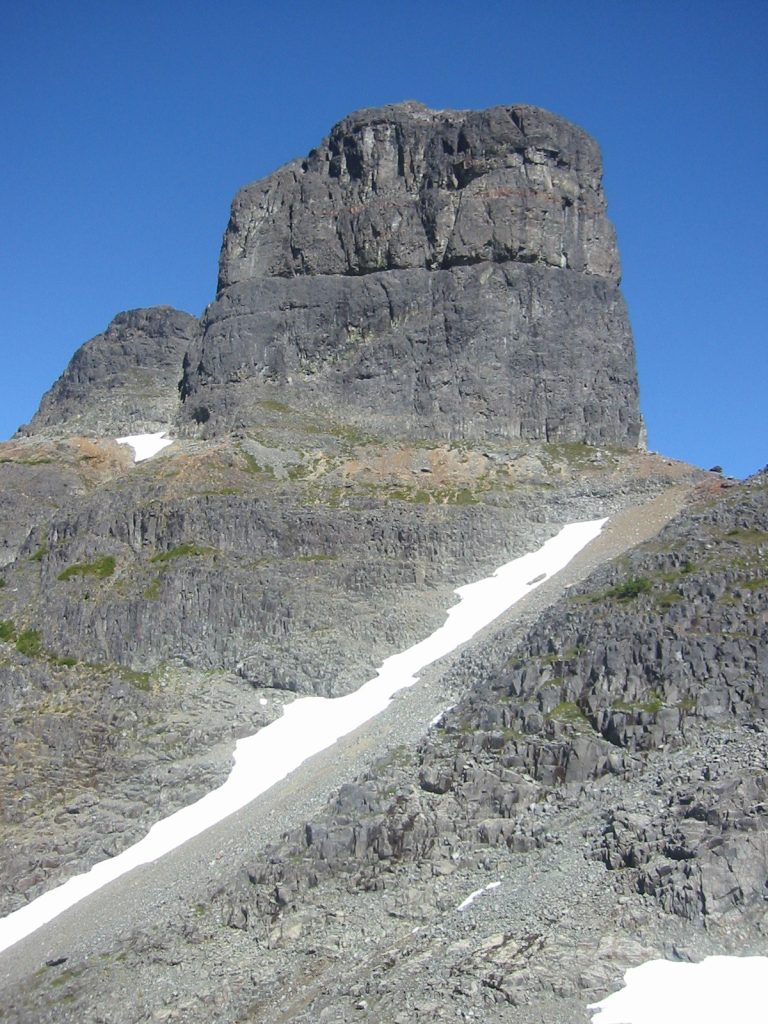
(127, 130)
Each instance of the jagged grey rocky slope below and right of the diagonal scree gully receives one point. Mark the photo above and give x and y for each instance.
(600, 787)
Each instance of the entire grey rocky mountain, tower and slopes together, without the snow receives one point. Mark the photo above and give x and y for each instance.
(348, 448)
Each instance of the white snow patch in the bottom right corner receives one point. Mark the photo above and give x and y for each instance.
(718, 990)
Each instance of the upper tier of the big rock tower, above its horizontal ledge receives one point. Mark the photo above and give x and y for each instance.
(403, 187)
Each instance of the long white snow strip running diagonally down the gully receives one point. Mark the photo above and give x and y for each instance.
(312, 724)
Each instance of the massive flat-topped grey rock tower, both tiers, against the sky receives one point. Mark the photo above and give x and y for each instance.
(425, 273)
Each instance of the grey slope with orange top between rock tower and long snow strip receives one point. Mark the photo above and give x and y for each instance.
(296, 564)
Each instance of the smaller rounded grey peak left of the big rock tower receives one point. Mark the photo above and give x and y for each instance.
(122, 381)
